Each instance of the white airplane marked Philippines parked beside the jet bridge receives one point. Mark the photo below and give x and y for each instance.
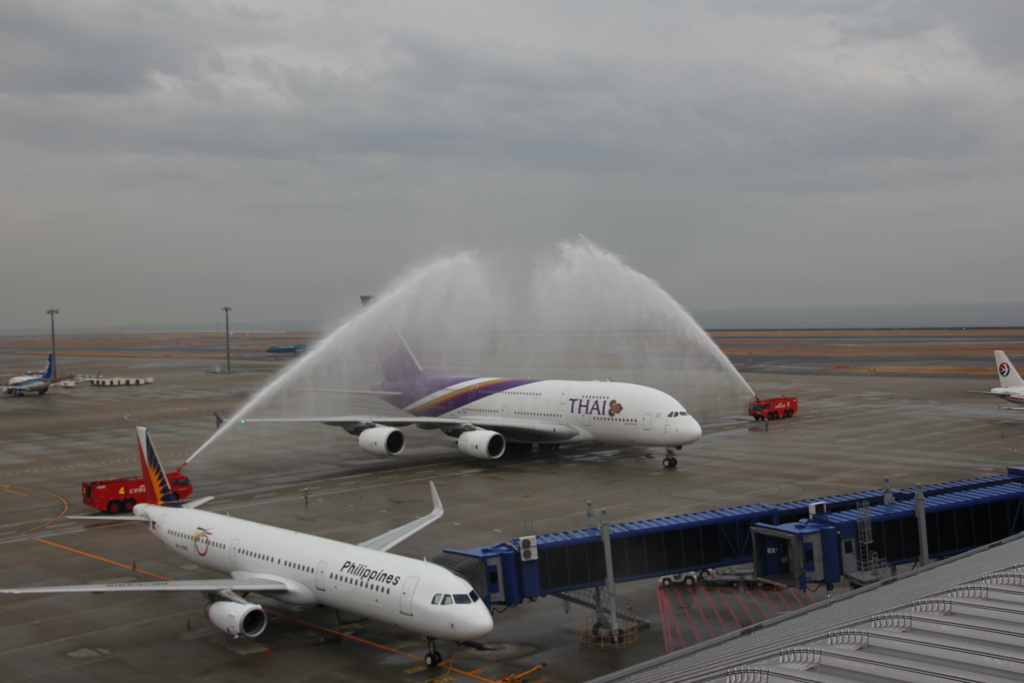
(298, 569)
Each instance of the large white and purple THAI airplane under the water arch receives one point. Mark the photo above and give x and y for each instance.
(487, 413)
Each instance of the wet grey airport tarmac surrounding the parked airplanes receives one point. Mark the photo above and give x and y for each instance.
(855, 428)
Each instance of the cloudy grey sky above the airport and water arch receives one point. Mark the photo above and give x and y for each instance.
(162, 159)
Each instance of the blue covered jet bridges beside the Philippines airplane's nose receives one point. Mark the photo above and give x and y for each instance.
(786, 543)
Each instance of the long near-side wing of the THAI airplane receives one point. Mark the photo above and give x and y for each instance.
(526, 431)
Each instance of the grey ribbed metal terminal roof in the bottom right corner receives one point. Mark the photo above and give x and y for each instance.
(960, 620)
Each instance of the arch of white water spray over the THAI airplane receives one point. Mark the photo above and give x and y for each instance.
(577, 312)
